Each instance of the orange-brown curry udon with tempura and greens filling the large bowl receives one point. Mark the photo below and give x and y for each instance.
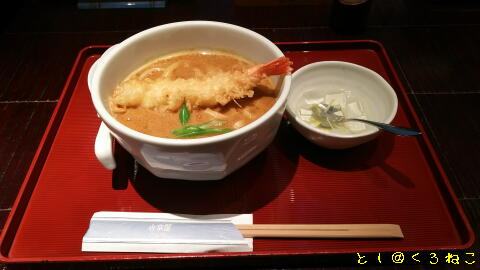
(183, 94)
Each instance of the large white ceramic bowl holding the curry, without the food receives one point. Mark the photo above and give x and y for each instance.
(193, 159)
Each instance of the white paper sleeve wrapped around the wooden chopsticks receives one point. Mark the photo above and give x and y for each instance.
(165, 233)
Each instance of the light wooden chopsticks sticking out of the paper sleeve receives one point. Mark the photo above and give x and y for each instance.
(363, 231)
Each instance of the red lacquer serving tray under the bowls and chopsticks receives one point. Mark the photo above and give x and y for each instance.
(390, 180)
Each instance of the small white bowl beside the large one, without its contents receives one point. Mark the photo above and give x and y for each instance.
(315, 80)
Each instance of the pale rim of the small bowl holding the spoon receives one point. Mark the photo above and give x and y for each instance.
(352, 66)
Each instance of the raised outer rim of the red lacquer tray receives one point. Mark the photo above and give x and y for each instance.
(57, 117)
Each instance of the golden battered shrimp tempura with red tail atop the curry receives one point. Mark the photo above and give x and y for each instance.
(208, 91)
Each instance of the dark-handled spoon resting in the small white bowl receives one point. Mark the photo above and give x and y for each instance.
(327, 114)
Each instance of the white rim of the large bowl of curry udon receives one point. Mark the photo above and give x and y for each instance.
(119, 128)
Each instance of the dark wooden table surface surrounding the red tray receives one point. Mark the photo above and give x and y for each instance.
(434, 46)
